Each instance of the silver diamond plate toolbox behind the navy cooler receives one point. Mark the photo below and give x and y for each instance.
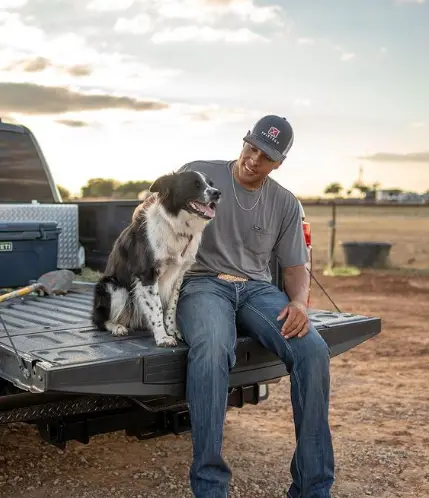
(70, 252)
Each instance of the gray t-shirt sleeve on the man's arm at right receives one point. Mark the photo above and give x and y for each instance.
(290, 247)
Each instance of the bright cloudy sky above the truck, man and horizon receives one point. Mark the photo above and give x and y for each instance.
(133, 89)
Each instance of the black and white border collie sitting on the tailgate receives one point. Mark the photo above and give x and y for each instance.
(140, 286)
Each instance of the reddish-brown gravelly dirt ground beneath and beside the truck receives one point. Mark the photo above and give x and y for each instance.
(379, 418)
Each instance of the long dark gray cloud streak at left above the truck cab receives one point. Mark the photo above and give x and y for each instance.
(28, 98)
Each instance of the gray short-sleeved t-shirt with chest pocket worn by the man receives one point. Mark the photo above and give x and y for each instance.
(240, 242)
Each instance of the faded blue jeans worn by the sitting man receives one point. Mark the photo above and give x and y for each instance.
(210, 311)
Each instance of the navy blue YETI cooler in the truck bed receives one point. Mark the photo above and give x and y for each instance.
(27, 250)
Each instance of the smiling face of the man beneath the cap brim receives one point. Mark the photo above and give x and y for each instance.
(253, 166)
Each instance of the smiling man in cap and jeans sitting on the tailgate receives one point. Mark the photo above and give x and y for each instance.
(229, 288)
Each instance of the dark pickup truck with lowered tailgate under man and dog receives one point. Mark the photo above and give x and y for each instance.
(73, 382)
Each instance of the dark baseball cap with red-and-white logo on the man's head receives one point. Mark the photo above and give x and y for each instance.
(273, 135)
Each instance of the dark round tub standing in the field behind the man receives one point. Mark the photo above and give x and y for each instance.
(367, 254)
